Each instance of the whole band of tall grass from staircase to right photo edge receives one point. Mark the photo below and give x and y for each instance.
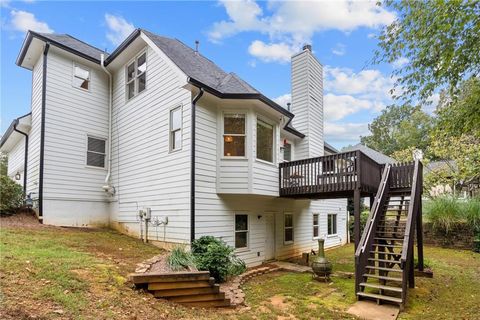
(447, 212)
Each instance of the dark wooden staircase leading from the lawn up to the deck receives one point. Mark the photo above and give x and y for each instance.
(384, 257)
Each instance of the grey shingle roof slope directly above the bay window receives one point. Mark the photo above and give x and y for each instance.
(196, 66)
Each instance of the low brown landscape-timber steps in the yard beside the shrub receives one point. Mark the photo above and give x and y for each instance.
(193, 289)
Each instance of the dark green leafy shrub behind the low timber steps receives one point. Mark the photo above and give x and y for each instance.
(216, 256)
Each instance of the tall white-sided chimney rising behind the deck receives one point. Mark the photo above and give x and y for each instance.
(307, 103)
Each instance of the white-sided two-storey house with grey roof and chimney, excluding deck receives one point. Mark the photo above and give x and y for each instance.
(112, 134)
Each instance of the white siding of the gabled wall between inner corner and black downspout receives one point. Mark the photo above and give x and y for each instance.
(145, 171)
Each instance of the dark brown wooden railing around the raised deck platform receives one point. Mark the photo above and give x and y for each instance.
(329, 174)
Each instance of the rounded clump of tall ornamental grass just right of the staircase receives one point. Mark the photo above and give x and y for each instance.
(444, 213)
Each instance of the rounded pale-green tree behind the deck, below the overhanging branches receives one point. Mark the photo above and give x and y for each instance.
(399, 127)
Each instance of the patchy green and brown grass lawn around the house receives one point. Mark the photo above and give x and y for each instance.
(67, 273)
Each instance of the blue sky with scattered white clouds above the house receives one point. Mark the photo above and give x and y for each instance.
(253, 39)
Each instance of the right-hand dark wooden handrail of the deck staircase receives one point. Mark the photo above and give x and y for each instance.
(415, 195)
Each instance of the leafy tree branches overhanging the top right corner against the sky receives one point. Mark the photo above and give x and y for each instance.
(439, 39)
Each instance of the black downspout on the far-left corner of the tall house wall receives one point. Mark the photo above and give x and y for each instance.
(42, 130)
